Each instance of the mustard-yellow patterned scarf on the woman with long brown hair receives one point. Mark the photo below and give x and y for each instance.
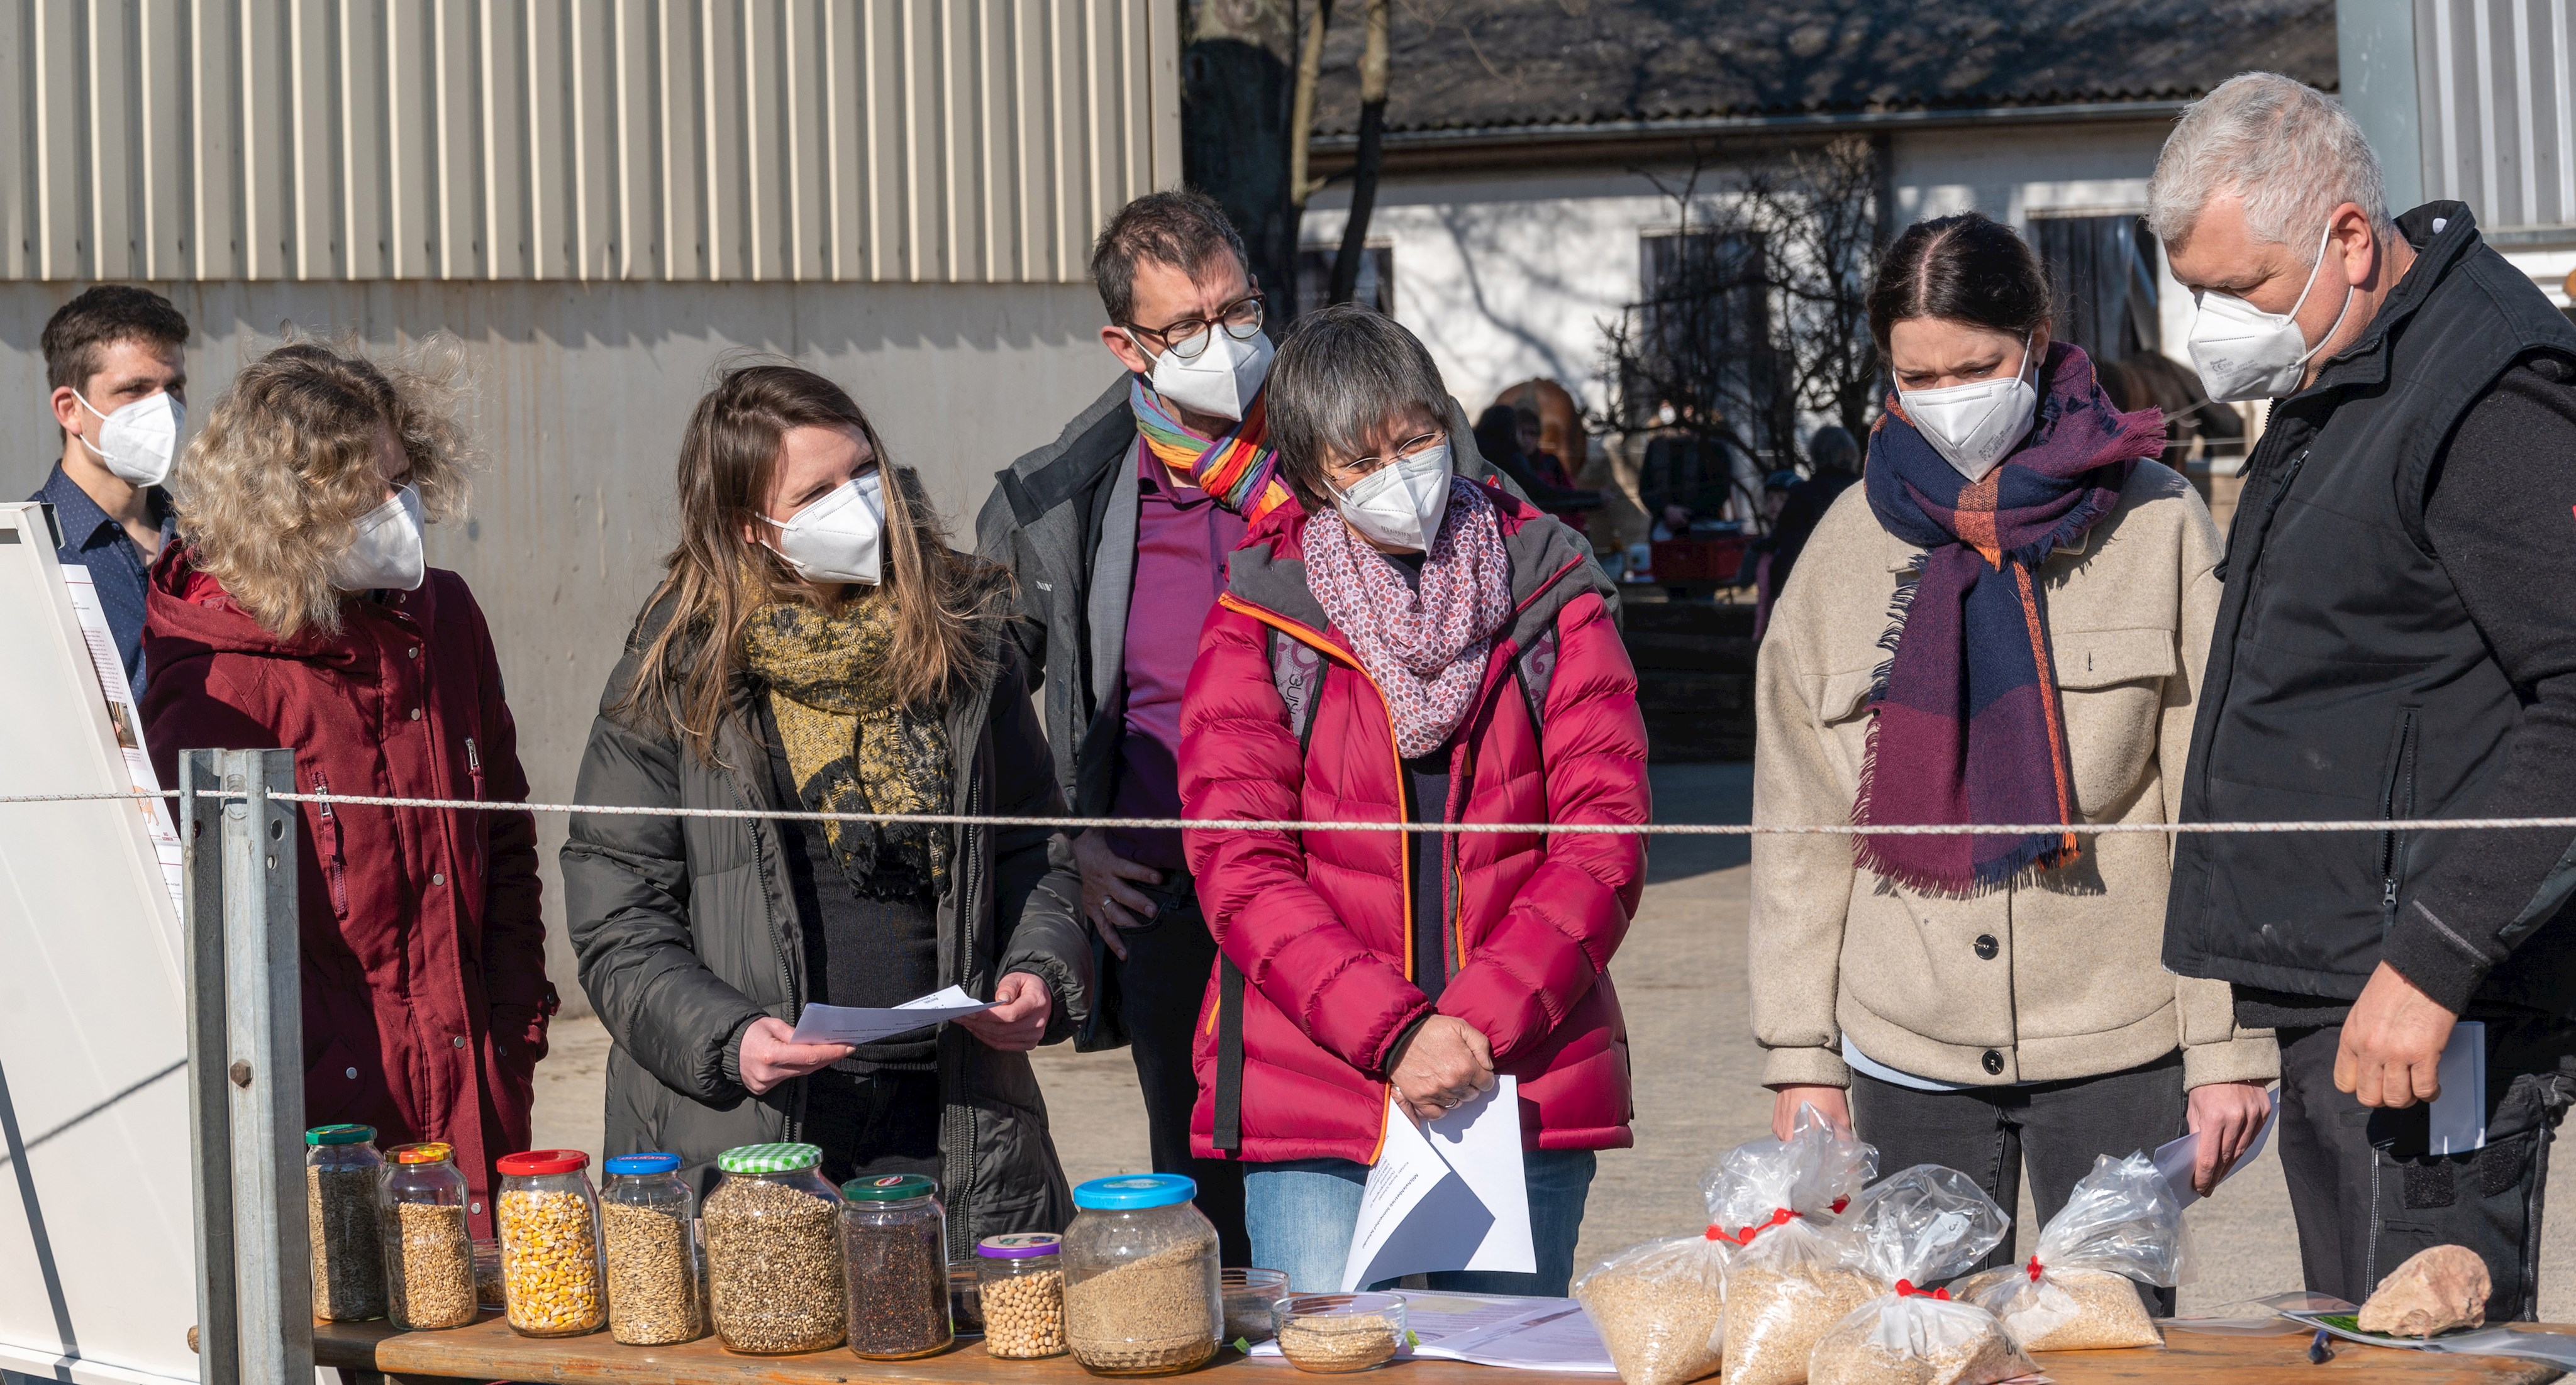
(851, 750)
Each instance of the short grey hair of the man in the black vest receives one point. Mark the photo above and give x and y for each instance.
(2291, 153)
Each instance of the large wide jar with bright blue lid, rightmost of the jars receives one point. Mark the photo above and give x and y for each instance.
(1140, 1278)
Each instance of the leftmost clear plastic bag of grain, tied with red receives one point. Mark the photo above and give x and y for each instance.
(1663, 1306)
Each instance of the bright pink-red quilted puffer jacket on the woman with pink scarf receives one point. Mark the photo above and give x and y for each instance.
(1323, 925)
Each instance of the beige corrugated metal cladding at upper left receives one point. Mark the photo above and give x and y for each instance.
(679, 140)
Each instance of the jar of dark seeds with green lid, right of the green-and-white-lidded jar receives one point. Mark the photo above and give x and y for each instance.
(895, 1247)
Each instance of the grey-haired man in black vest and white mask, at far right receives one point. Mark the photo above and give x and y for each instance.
(2397, 642)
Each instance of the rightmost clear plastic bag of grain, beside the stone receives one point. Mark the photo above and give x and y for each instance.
(2080, 1291)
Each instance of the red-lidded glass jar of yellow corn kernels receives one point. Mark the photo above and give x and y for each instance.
(550, 1245)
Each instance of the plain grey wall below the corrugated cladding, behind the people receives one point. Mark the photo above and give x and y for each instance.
(581, 398)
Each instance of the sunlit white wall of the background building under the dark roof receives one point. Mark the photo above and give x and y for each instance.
(1513, 277)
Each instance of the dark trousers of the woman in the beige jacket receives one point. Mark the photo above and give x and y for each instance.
(2057, 1129)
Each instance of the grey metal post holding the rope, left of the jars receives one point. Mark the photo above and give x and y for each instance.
(264, 1026)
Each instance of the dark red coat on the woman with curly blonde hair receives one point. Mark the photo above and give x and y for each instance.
(424, 954)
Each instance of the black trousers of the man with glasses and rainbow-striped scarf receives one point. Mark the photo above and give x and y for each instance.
(1160, 990)
